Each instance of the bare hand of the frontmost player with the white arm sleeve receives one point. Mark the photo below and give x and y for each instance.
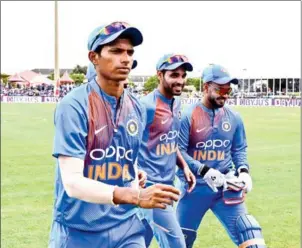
(157, 196)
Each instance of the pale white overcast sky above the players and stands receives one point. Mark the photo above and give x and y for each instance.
(262, 37)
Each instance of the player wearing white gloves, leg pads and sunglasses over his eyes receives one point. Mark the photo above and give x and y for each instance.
(213, 143)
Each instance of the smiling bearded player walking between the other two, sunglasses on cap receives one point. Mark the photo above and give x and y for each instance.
(159, 152)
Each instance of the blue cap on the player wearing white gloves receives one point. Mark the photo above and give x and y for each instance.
(217, 74)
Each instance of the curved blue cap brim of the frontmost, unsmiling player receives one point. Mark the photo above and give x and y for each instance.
(134, 34)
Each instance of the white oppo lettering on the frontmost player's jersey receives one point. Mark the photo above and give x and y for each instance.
(118, 153)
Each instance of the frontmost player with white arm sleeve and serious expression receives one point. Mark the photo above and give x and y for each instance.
(98, 131)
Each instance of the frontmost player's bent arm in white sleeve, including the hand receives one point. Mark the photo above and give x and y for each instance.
(85, 189)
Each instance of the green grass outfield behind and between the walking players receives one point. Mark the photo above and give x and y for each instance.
(27, 173)
